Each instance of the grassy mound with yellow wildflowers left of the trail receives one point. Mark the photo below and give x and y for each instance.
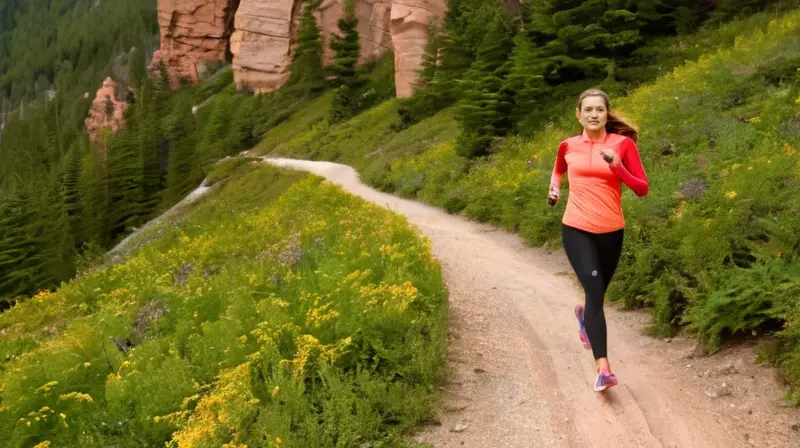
(280, 312)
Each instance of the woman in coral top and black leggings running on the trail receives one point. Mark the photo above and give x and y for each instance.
(598, 162)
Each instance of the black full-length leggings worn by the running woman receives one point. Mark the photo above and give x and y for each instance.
(594, 257)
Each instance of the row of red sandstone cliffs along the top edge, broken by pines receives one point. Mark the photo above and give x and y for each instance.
(195, 32)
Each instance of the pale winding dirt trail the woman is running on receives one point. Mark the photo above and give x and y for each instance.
(519, 376)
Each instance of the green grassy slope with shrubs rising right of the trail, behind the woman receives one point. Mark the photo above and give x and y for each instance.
(712, 249)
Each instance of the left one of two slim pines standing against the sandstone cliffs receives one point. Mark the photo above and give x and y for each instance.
(307, 72)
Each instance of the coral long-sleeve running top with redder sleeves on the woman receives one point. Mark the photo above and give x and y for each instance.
(594, 203)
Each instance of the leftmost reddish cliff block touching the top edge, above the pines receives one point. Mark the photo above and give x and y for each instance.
(194, 33)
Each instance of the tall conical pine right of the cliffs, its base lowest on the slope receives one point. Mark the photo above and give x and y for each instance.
(484, 111)
